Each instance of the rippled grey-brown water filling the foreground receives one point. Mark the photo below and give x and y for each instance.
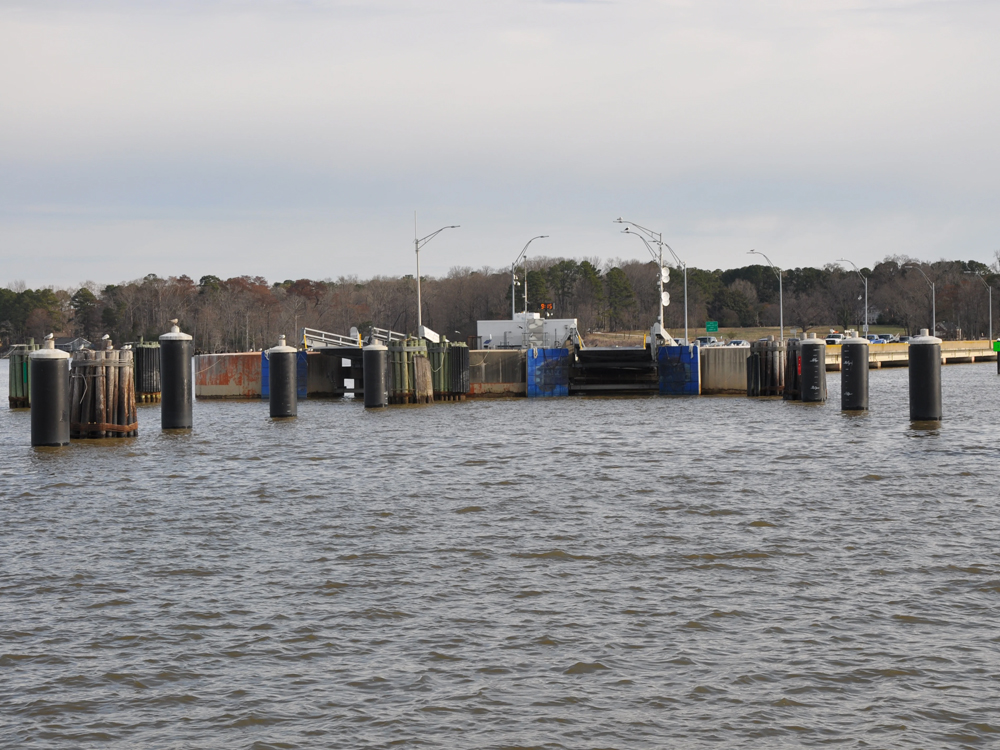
(575, 573)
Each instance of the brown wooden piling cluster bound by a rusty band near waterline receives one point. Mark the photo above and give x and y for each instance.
(102, 394)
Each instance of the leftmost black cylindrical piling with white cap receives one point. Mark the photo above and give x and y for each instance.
(49, 372)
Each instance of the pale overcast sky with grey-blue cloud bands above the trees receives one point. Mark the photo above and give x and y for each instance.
(296, 139)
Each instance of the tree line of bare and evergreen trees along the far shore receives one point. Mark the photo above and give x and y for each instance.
(248, 312)
